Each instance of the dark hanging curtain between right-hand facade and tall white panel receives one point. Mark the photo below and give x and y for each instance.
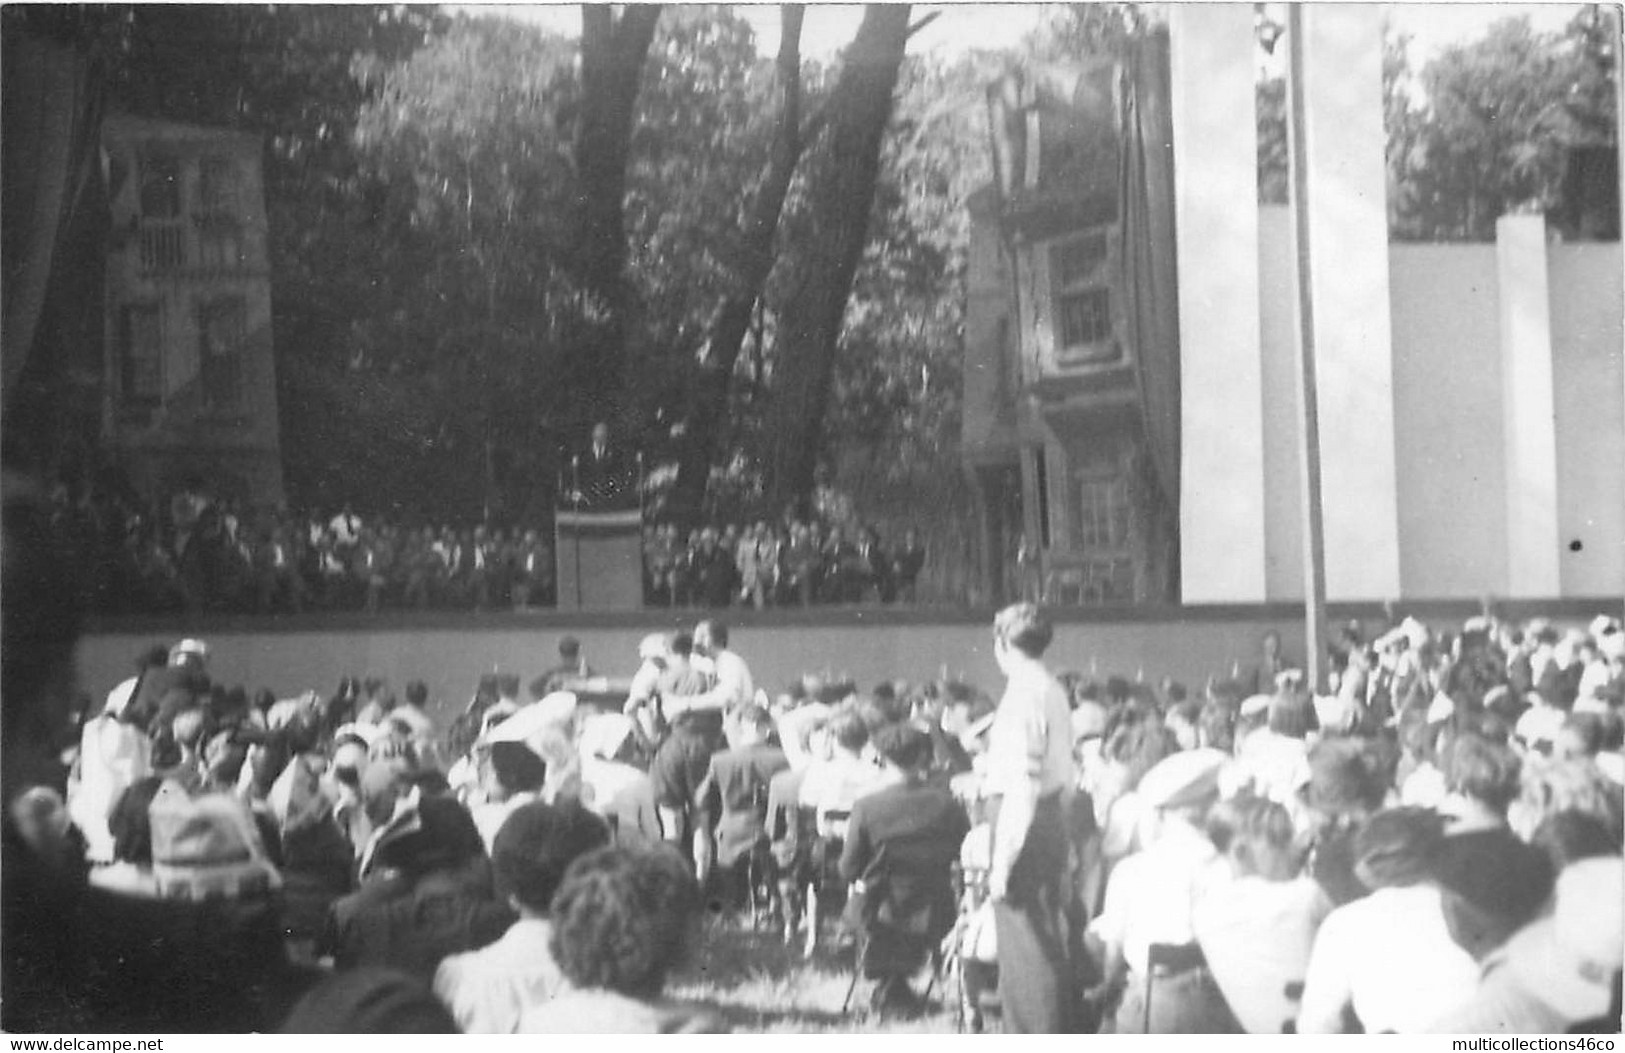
(1150, 280)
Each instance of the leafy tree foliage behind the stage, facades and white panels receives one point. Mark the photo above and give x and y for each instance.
(472, 219)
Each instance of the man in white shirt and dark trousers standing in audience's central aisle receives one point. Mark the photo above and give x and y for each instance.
(1031, 784)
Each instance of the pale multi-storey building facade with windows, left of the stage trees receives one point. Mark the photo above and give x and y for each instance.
(191, 383)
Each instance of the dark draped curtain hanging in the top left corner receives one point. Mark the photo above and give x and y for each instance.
(51, 105)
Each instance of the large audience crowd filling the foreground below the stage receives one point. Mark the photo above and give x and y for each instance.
(1432, 846)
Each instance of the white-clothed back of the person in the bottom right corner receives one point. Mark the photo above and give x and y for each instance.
(1561, 973)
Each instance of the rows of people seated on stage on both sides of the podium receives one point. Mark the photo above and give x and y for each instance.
(204, 553)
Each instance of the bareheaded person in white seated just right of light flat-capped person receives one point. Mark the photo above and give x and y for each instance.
(1257, 914)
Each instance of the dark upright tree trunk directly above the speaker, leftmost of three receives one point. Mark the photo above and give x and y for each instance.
(613, 53)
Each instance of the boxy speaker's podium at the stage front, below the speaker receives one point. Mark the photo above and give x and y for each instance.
(600, 560)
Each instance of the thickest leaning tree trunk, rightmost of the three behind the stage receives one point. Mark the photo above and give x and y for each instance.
(841, 202)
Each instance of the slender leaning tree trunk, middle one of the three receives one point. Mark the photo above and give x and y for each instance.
(732, 321)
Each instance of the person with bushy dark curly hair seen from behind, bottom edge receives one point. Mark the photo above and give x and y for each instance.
(623, 921)
